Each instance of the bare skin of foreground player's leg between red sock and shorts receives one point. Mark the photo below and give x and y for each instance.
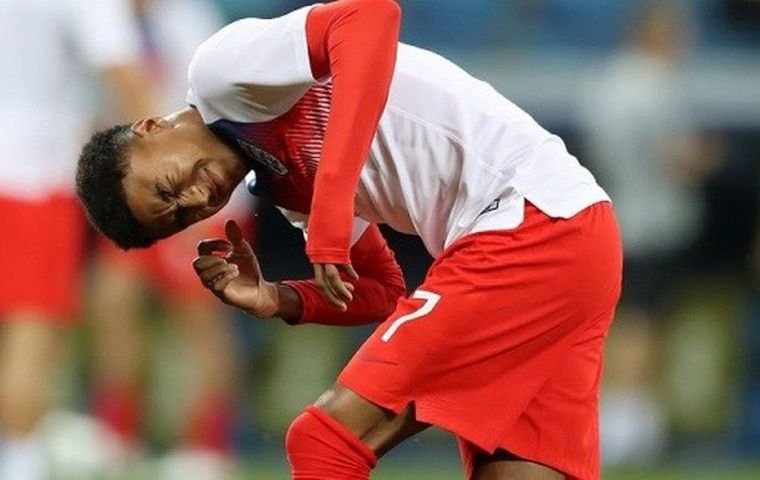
(379, 428)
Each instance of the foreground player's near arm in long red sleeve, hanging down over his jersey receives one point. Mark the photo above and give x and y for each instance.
(355, 43)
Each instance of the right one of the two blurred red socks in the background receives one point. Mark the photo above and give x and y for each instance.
(210, 424)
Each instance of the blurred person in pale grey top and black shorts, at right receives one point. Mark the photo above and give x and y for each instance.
(650, 157)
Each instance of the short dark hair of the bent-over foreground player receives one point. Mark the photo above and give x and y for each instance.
(102, 166)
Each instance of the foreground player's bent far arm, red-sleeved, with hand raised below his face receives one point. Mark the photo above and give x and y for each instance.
(229, 269)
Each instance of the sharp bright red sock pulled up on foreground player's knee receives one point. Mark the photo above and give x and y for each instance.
(320, 448)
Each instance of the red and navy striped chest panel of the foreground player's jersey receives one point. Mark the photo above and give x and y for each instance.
(284, 152)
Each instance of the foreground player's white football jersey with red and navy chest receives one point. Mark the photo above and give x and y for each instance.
(451, 156)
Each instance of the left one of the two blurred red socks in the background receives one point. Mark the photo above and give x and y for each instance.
(118, 406)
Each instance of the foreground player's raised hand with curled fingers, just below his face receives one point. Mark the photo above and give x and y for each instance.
(230, 270)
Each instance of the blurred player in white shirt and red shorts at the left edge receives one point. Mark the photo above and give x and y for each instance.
(48, 51)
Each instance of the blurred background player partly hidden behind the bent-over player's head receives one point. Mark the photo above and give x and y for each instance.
(125, 285)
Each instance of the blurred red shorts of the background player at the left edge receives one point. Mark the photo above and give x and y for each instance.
(40, 252)
